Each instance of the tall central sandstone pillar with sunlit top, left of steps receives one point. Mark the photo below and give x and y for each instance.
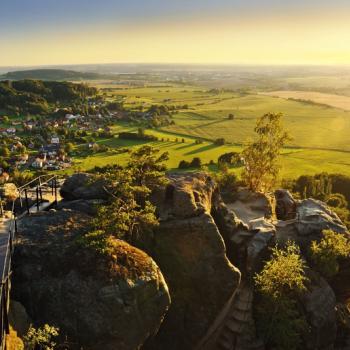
(191, 253)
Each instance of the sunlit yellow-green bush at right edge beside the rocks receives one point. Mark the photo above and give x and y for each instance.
(326, 253)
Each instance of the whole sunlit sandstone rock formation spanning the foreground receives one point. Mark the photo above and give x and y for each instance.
(208, 252)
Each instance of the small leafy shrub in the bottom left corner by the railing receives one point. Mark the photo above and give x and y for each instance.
(41, 338)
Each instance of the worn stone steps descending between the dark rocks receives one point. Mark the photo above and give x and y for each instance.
(238, 332)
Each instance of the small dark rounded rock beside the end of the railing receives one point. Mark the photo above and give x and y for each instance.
(82, 186)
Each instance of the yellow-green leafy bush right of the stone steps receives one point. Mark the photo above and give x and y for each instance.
(279, 320)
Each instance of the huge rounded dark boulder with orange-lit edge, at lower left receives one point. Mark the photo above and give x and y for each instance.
(113, 301)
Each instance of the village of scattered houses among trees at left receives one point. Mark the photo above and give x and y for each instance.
(49, 144)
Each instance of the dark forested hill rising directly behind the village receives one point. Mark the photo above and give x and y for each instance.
(37, 97)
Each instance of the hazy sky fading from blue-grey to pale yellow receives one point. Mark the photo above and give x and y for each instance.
(38, 32)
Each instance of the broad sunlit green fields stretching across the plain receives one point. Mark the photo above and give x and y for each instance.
(320, 134)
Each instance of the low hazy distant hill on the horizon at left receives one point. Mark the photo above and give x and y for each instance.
(52, 74)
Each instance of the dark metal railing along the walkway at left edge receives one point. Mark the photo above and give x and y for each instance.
(37, 186)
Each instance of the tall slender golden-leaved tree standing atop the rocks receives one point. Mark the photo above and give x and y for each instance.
(261, 156)
